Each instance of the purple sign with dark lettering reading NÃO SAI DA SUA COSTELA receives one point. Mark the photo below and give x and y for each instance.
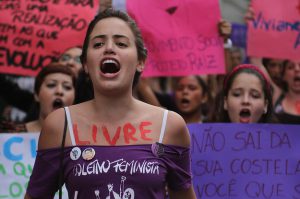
(245, 160)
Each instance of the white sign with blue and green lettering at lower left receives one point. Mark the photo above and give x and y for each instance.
(17, 156)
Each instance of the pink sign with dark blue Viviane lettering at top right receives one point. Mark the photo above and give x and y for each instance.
(275, 31)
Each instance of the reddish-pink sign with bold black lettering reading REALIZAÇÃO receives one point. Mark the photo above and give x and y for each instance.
(35, 32)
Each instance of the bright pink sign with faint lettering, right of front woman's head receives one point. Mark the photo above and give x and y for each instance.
(181, 36)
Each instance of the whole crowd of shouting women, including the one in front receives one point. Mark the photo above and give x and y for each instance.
(252, 90)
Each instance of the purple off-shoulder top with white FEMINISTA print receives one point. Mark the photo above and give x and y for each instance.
(131, 171)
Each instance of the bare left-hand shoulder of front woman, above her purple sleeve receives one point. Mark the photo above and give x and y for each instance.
(52, 130)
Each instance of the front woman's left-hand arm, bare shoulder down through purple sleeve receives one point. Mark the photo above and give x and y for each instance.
(45, 173)
